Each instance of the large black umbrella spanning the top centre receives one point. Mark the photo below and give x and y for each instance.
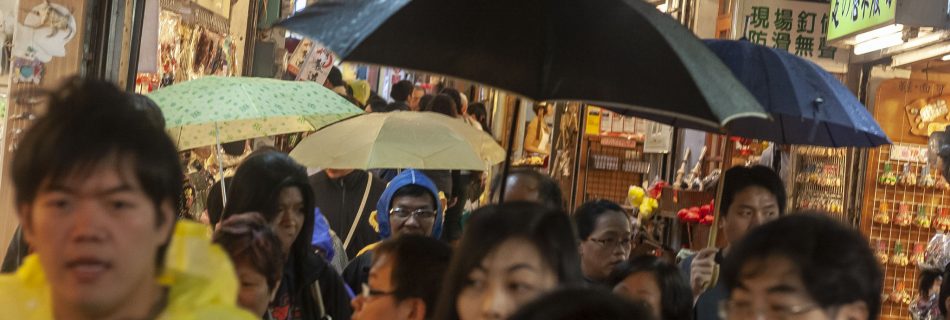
(621, 54)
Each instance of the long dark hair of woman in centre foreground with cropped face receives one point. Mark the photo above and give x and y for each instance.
(547, 228)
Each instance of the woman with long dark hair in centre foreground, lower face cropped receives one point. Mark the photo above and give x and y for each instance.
(509, 255)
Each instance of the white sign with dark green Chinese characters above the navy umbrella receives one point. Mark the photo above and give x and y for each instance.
(797, 27)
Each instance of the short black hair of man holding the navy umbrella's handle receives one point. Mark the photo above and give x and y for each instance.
(738, 179)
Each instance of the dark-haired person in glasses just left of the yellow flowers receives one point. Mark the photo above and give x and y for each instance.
(604, 232)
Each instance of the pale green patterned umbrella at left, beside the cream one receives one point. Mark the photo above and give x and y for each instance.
(211, 110)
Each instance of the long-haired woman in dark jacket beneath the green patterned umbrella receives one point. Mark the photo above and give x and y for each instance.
(272, 184)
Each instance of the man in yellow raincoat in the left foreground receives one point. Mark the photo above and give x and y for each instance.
(97, 187)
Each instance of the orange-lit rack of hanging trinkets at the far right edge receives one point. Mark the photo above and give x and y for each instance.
(905, 200)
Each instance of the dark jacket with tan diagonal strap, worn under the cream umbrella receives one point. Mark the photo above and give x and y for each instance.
(340, 194)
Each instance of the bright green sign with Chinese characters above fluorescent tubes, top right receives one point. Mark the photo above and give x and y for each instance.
(849, 17)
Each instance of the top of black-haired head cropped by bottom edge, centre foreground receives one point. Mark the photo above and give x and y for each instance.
(574, 302)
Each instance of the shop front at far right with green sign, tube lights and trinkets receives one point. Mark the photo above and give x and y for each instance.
(903, 202)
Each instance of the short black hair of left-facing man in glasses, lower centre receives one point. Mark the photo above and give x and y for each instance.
(419, 265)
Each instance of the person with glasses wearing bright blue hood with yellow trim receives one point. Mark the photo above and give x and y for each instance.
(410, 205)
